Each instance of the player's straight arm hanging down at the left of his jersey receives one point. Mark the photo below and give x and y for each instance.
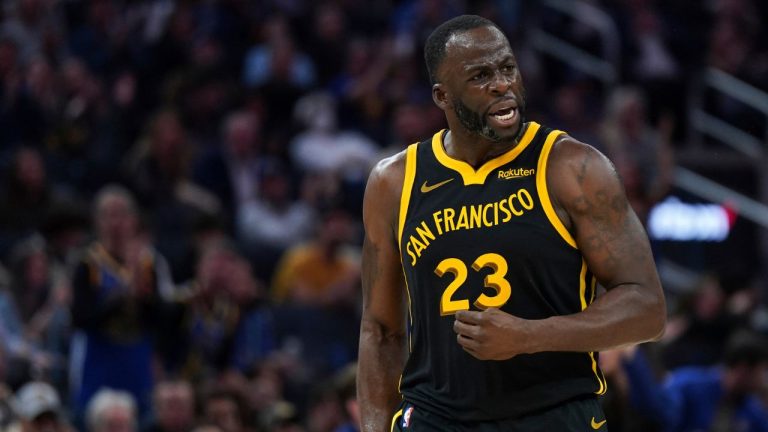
(382, 349)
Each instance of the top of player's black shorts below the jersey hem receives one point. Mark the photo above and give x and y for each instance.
(582, 415)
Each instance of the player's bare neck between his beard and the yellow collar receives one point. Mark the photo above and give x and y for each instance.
(475, 150)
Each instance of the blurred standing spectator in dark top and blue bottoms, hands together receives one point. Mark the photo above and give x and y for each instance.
(117, 306)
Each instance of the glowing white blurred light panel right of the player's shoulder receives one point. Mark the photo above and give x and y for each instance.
(675, 220)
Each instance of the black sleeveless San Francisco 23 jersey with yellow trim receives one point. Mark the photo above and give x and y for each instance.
(474, 239)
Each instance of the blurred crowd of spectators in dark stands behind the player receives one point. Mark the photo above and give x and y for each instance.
(180, 209)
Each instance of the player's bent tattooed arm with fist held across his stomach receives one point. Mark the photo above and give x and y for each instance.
(590, 201)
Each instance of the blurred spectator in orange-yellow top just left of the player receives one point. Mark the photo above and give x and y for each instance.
(315, 286)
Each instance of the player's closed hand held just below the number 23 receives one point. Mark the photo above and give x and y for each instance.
(491, 334)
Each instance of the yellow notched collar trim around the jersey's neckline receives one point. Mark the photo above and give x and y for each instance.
(468, 173)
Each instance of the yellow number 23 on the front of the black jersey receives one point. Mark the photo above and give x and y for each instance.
(495, 280)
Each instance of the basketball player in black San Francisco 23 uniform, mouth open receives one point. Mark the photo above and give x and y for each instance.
(483, 248)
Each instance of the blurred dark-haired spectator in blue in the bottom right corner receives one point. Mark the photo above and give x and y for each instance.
(720, 398)
